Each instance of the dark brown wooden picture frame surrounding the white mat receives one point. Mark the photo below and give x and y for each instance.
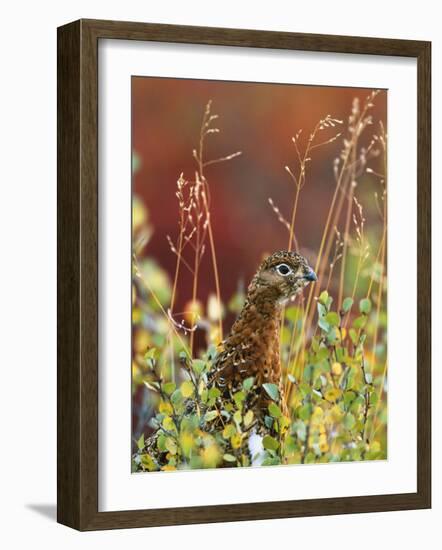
(77, 225)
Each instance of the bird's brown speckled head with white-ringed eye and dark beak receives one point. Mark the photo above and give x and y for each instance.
(283, 275)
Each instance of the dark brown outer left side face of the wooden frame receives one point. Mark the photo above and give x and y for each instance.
(68, 275)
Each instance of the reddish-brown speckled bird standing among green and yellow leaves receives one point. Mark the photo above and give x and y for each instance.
(252, 347)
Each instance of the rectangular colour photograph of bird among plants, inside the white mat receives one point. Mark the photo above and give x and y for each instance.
(259, 274)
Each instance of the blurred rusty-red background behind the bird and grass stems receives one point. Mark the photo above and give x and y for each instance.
(259, 120)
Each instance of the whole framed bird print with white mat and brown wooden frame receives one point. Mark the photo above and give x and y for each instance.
(243, 275)
